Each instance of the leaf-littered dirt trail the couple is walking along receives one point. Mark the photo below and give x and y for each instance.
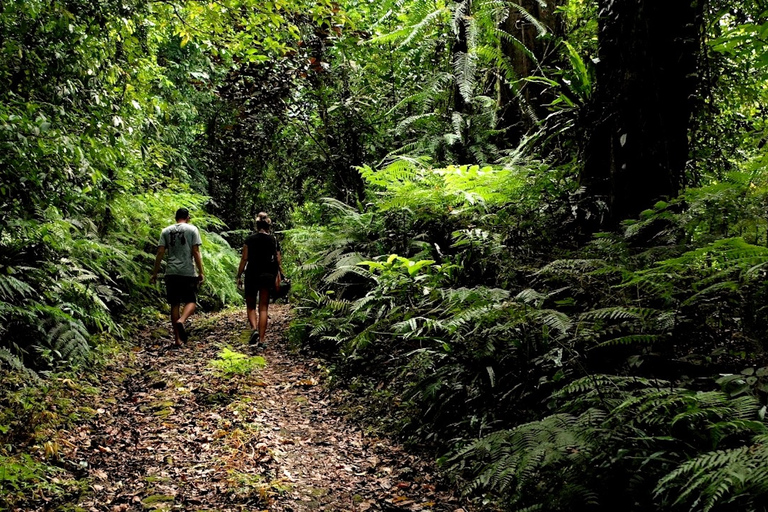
(172, 433)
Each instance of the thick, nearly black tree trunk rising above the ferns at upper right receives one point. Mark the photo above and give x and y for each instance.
(637, 137)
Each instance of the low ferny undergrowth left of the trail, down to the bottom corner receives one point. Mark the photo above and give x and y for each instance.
(69, 294)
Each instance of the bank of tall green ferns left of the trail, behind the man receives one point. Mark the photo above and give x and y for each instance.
(64, 281)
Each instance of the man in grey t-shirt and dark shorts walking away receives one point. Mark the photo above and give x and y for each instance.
(182, 243)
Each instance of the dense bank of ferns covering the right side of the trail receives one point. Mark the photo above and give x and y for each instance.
(625, 373)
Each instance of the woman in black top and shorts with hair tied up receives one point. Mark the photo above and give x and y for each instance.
(262, 262)
